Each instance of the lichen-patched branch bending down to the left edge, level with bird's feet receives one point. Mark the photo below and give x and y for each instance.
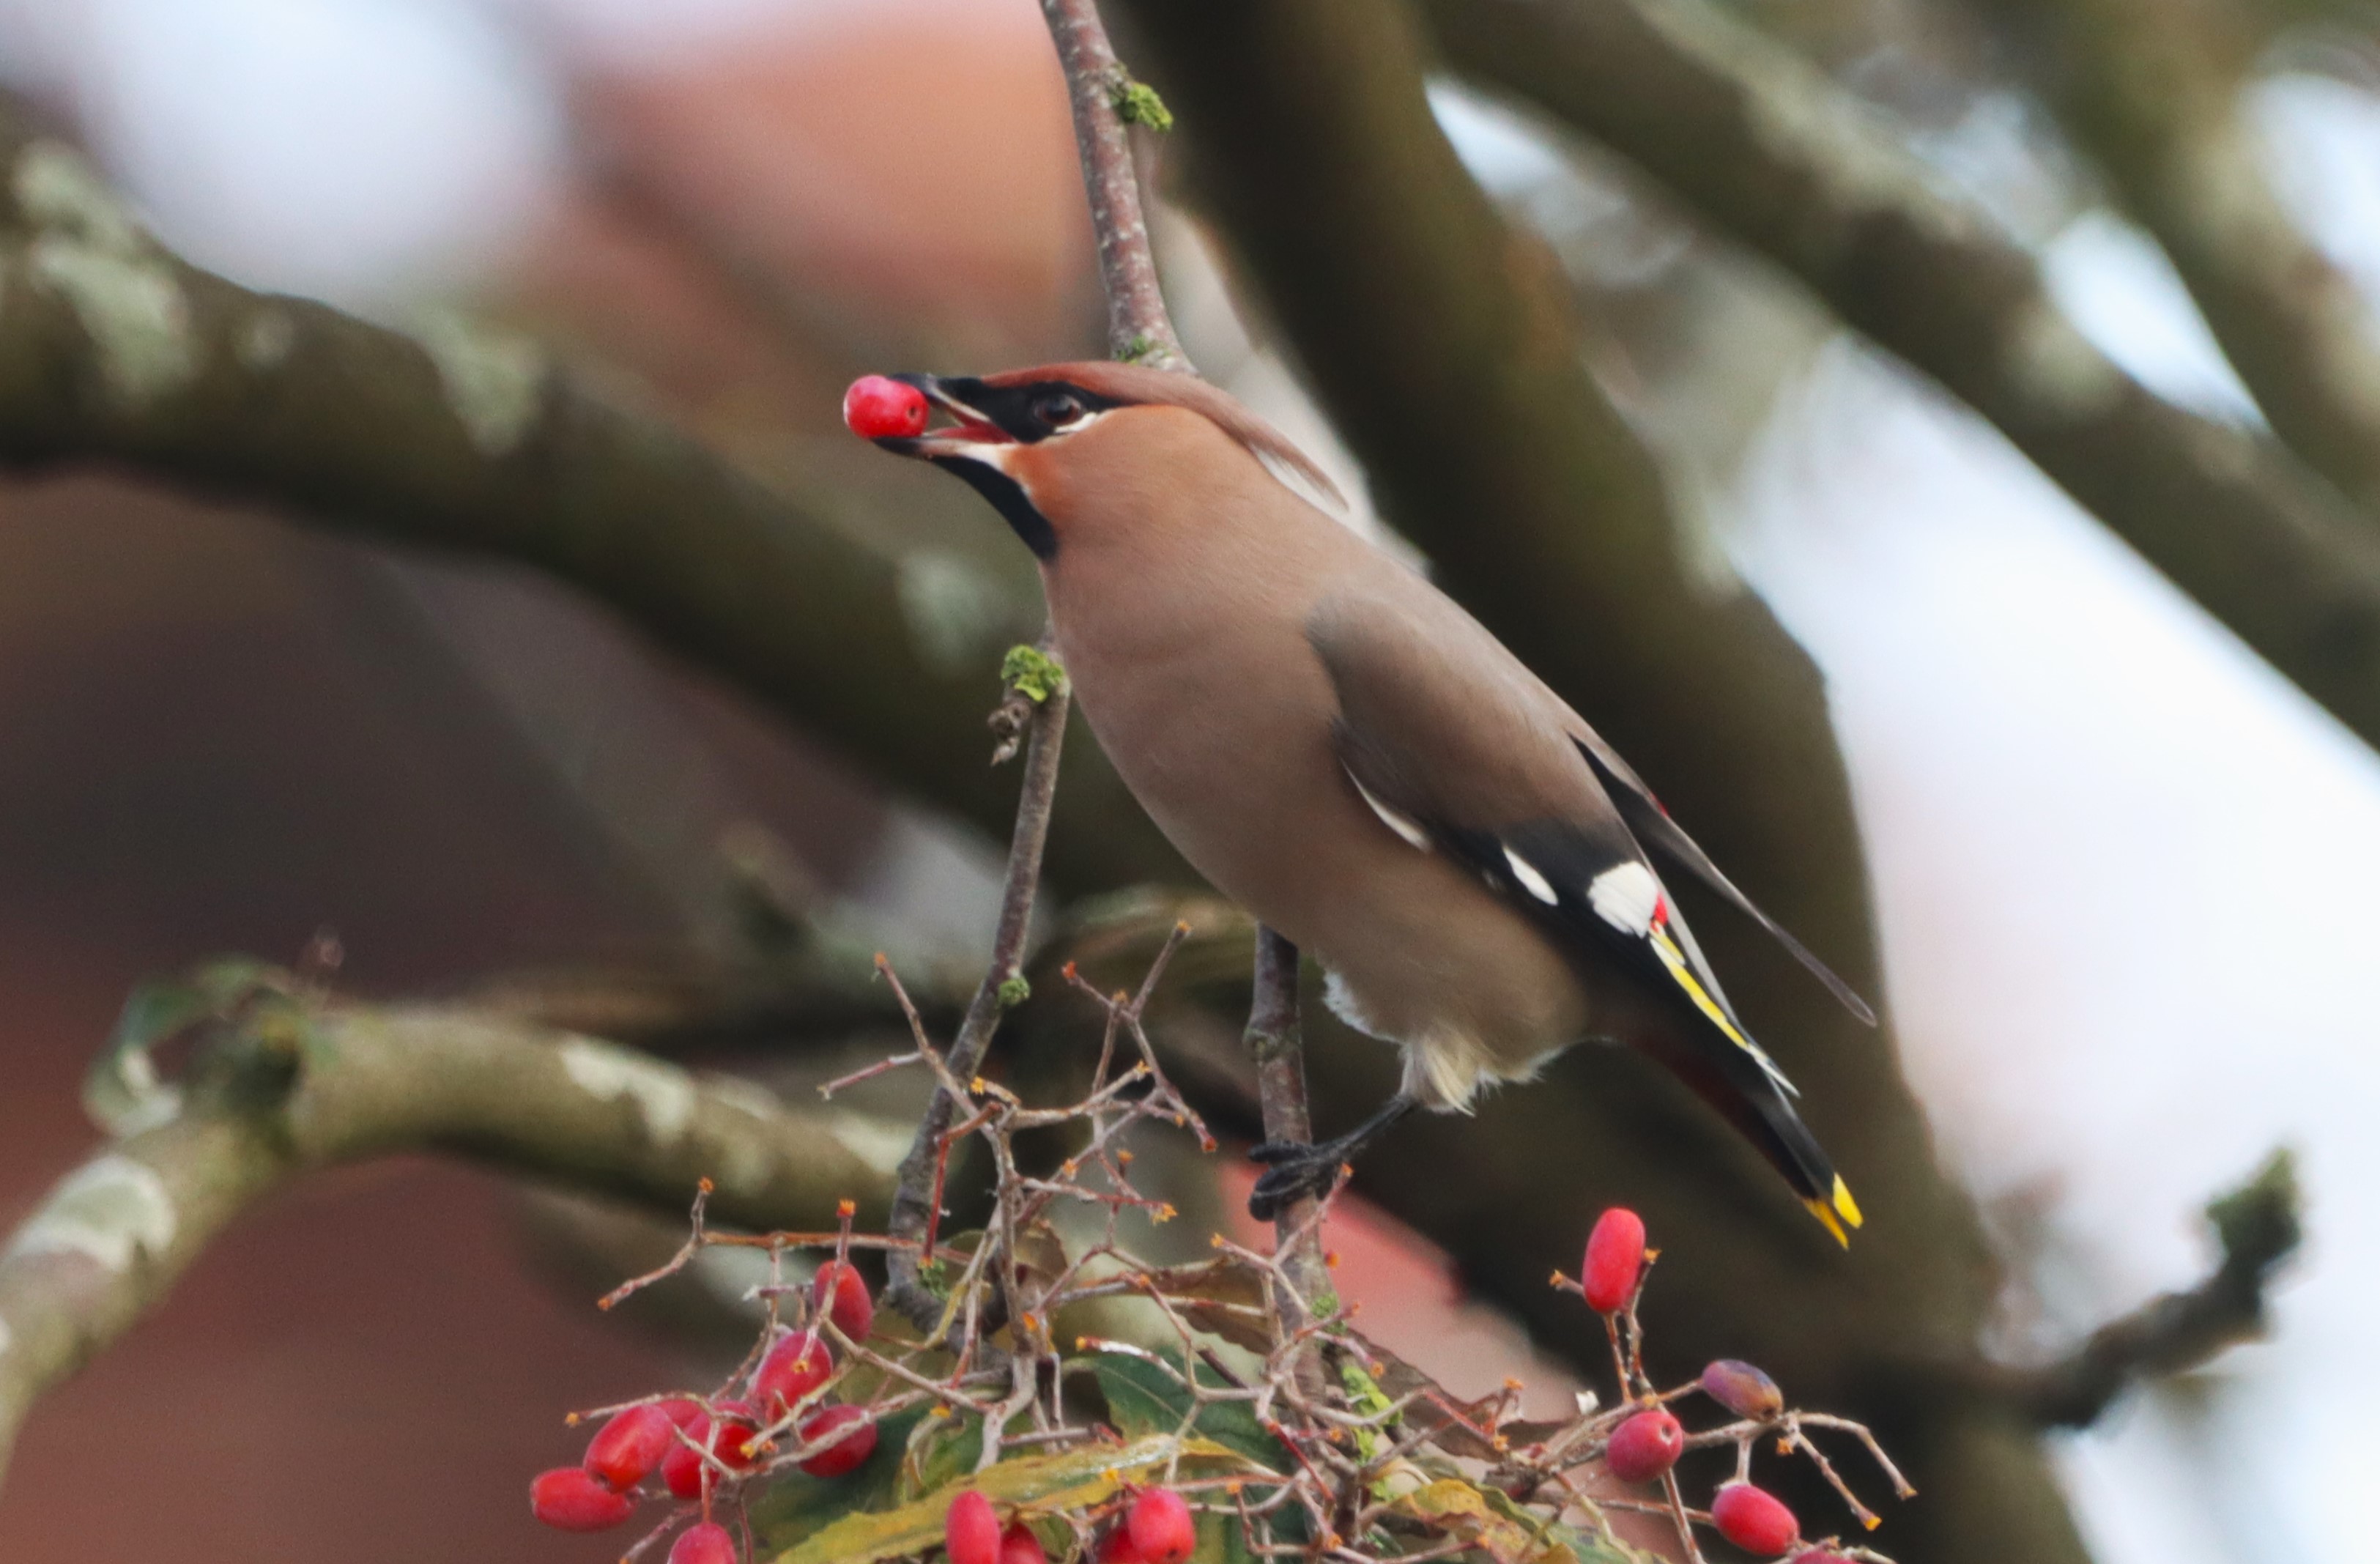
(284, 1087)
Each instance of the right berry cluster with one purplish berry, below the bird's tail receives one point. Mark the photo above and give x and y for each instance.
(1648, 1441)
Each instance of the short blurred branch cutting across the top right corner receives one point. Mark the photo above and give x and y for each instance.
(2153, 89)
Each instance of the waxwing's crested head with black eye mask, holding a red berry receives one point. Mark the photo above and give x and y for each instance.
(1065, 446)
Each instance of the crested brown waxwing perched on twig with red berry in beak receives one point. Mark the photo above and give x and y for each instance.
(1351, 756)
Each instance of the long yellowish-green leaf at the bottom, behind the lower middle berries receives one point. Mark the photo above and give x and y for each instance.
(1075, 1479)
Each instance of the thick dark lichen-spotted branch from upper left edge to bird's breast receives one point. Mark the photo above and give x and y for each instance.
(115, 351)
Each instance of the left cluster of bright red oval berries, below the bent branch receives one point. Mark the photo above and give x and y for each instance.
(701, 1446)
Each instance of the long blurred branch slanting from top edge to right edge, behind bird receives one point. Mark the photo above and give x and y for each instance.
(1786, 163)
